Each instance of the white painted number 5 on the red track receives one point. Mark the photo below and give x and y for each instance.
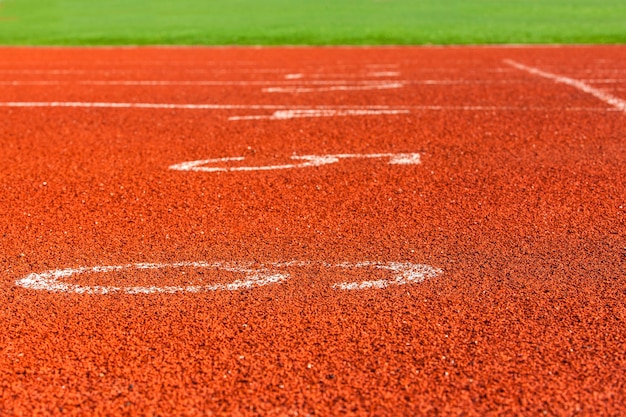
(307, 161)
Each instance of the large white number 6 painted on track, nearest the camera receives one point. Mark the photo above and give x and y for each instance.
(254, 275)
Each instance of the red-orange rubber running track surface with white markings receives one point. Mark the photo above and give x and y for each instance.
(520, 202)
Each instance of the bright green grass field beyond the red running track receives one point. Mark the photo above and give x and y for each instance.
(312, 22)
